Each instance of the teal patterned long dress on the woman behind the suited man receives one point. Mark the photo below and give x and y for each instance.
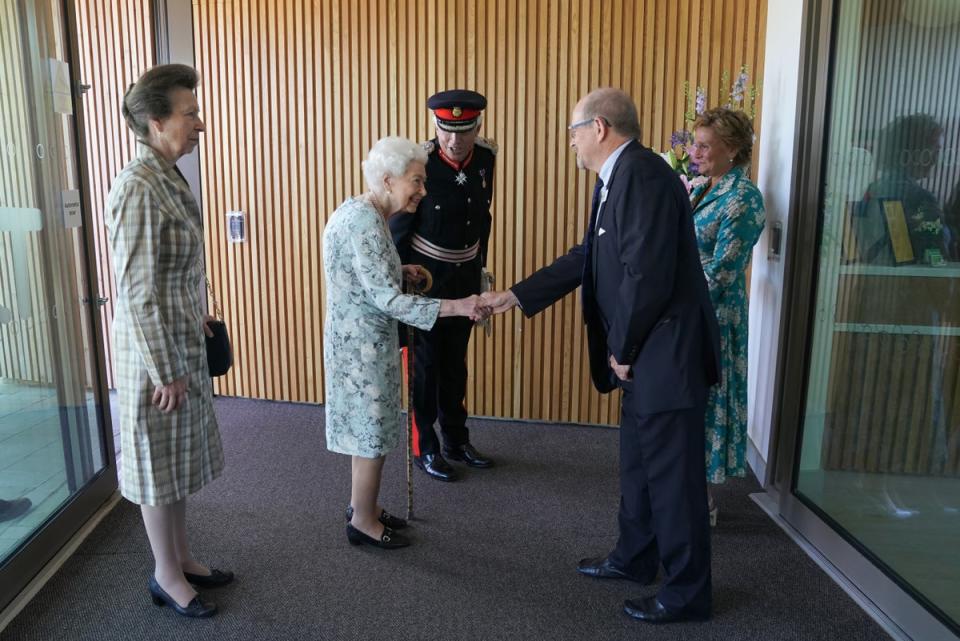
(728, 219)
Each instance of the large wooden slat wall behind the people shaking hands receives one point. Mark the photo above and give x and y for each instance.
(295, 93)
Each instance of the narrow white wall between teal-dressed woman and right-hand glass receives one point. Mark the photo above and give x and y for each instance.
(776, 156)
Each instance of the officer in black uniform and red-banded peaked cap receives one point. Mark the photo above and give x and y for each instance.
(448, 235)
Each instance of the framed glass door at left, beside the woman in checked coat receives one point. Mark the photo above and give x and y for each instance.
(56, 461)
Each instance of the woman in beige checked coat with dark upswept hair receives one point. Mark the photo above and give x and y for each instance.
(170, 443)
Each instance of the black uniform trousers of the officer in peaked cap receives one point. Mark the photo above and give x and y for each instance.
(440, 383)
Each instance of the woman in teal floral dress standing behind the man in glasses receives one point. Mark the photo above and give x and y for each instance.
(729, 216)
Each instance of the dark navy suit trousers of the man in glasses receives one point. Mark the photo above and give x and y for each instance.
(663, 504)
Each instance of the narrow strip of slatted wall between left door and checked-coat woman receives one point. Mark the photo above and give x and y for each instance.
(116, 46)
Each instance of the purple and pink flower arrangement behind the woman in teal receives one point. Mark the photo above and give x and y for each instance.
(742, 96)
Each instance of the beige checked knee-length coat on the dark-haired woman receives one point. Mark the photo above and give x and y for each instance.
(156, 242)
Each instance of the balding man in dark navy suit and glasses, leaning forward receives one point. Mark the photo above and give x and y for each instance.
(651, 331)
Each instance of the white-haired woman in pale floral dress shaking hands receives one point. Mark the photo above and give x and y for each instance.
(360, 348)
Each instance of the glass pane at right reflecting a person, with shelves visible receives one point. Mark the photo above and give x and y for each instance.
(881, 435)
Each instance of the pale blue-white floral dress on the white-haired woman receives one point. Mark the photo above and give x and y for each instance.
(360, 348)
